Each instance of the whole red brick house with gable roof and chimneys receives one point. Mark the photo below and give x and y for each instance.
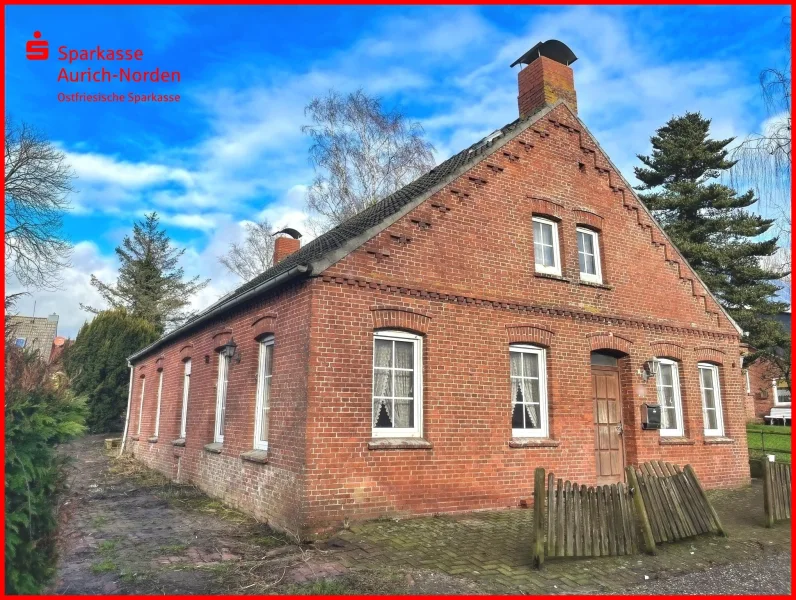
(502, 312)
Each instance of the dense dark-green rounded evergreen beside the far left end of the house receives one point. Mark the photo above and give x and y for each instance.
(97, 365)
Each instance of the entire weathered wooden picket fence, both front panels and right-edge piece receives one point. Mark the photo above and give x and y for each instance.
(660, 501)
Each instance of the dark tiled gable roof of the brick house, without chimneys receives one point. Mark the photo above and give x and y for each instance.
(330, 247)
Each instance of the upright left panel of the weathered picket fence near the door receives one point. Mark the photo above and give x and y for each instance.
(582, 520)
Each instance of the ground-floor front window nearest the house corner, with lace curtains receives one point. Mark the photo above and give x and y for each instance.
(397, 384)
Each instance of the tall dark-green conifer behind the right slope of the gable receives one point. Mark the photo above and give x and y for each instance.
(709, 224)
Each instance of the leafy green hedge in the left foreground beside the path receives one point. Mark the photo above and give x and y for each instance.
(40, 413)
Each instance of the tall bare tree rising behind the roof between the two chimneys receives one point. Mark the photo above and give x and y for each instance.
(361, 153)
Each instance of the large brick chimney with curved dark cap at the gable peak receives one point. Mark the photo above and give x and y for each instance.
(546, 78)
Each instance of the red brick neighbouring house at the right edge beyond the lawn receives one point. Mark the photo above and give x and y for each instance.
(766, 386)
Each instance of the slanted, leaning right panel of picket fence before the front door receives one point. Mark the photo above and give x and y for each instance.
(675, 504)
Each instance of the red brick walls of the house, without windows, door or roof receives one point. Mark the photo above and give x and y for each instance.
(458, 269)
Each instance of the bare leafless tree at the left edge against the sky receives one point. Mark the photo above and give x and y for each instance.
(37, 185)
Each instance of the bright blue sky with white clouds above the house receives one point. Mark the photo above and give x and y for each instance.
(231, 150)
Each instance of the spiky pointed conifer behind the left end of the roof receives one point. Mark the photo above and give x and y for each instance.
(150, 285)
